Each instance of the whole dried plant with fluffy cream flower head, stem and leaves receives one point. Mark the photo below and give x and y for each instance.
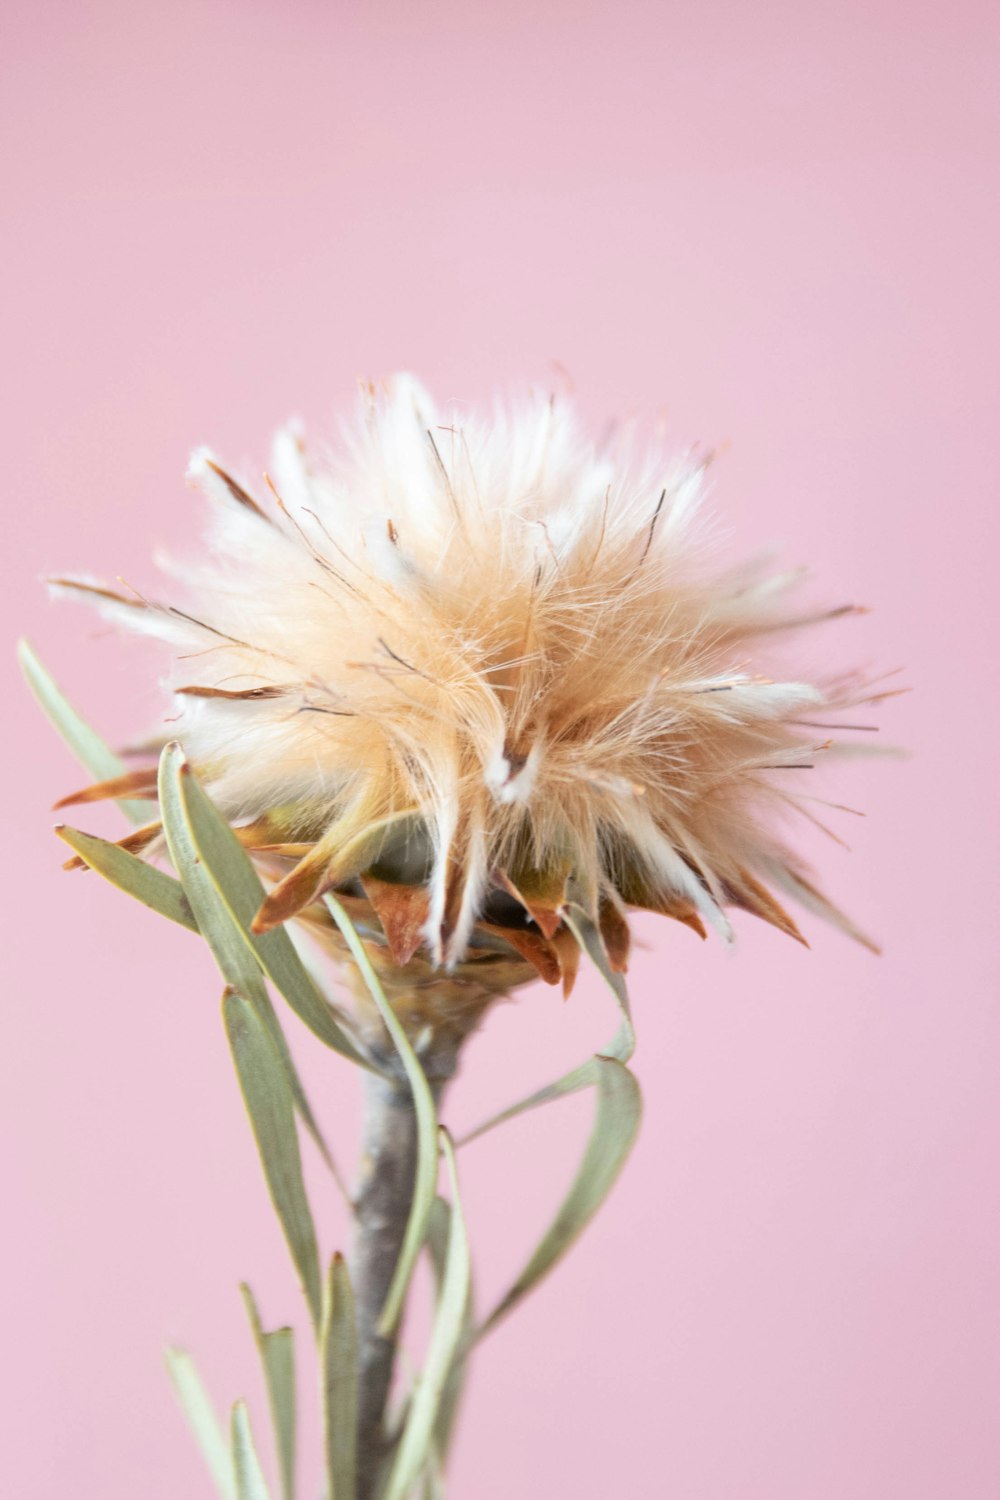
(454, 700)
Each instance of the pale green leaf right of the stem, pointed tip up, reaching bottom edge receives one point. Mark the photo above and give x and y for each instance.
(418, 1439)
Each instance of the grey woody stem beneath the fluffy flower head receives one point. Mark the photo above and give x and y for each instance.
(383, 1201)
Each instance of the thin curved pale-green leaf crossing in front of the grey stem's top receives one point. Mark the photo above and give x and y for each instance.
(427, 1175)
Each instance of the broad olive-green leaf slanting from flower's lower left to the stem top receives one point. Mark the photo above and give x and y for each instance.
(241, 889)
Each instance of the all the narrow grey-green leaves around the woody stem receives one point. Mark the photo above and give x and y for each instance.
(218, 893)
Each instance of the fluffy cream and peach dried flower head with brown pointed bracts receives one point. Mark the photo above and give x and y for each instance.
(467, 671)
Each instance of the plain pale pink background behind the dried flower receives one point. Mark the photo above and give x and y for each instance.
(776, 221)
